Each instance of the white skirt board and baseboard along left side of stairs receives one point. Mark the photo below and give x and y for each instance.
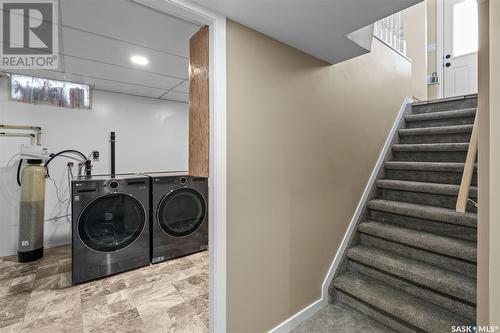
(307, 312)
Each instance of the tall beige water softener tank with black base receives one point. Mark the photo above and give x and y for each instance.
(32, 212)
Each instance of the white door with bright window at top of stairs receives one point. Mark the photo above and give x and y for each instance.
(461, 35)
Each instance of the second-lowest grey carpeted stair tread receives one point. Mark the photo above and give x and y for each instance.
(418, 272)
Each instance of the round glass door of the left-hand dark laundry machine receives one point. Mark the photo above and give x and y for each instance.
(111, 222)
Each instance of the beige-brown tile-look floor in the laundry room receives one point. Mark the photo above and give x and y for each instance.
(167, 297)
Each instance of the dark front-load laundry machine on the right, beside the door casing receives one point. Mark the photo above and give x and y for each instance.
(179, 219)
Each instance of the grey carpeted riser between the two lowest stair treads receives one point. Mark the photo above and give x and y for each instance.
(429, 295)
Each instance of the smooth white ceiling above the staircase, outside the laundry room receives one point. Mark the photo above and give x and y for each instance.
(317, 27)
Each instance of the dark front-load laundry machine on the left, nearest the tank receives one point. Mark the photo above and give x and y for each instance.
(110, 228)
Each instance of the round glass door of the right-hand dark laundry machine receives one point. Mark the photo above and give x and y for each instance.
(181, 212)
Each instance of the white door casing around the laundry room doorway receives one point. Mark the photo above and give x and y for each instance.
(195, 13)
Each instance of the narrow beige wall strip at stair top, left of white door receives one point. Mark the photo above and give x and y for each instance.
(416, 37)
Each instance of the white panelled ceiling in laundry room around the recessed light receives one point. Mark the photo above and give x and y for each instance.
(98, 37)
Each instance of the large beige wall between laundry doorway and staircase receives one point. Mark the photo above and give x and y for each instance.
(303, 138)
